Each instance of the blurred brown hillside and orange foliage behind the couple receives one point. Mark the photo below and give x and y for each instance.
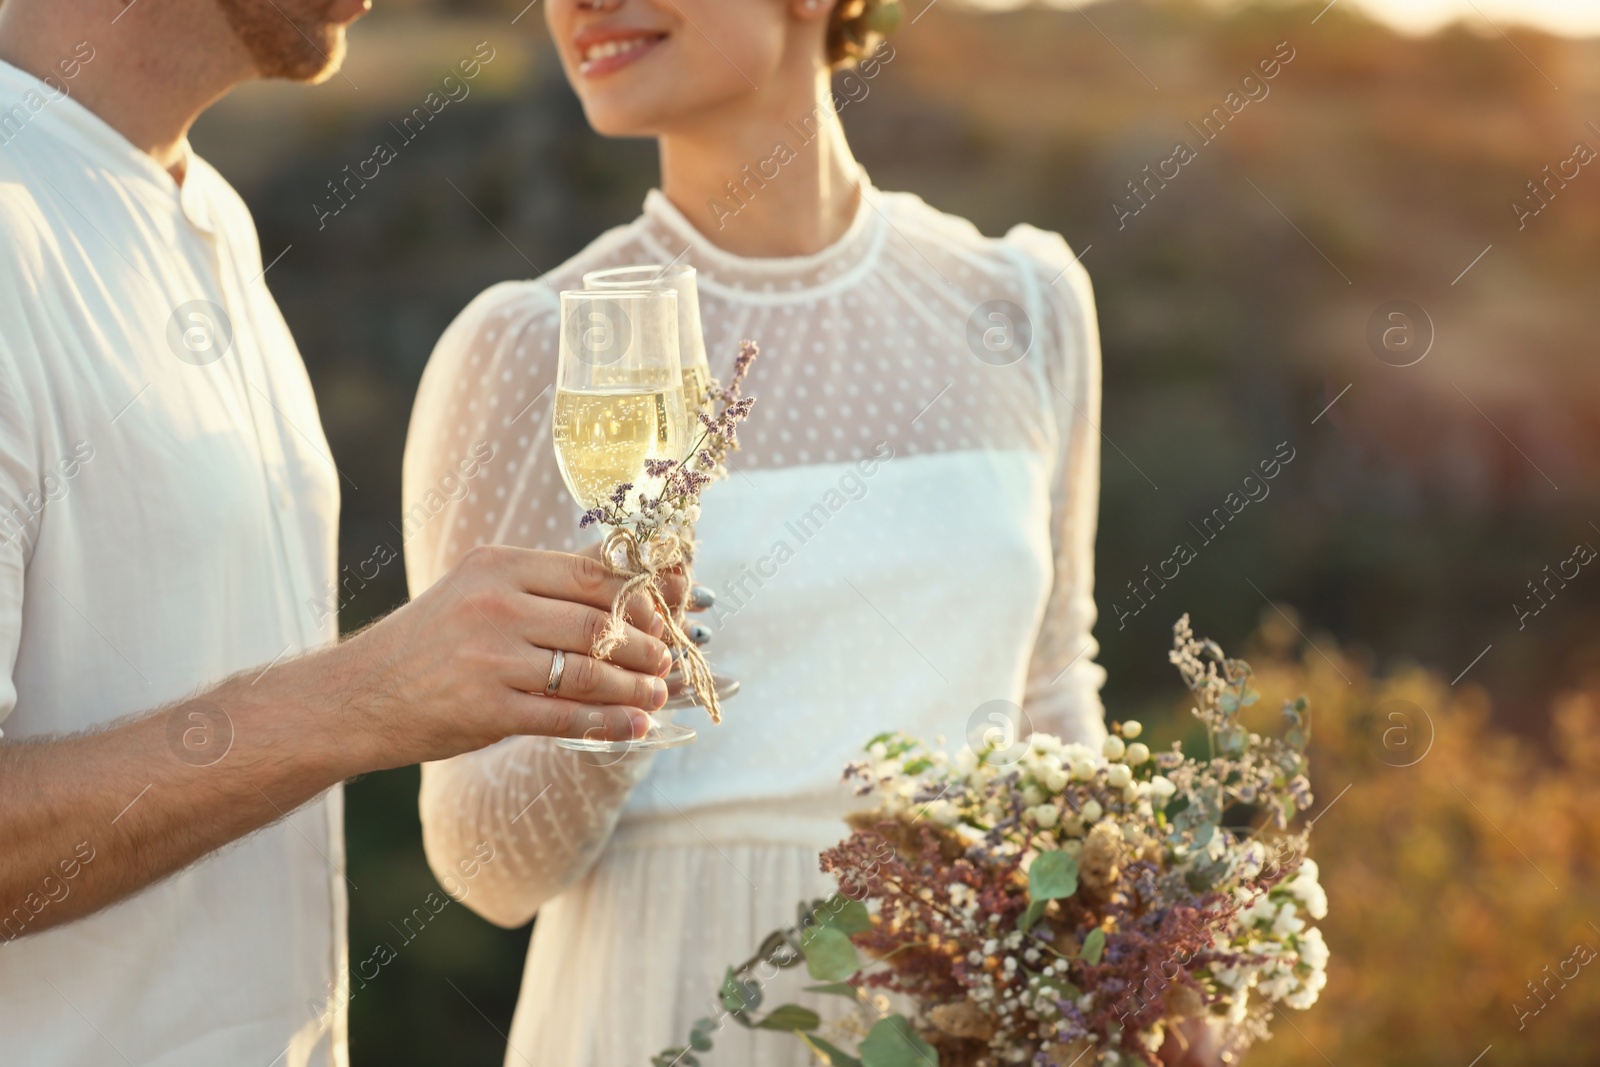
(1414, 567)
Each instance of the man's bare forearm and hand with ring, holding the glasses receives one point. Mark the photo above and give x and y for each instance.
(454, 671)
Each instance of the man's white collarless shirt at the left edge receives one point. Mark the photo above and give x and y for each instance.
(169, 513)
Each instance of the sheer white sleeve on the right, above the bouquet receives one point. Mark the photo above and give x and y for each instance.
(1063, 681)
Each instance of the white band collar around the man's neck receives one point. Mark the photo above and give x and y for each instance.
(62, 118)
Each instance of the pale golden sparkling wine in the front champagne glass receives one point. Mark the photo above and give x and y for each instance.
(604, 439)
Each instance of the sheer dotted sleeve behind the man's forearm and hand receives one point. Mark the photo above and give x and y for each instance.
(479, 471)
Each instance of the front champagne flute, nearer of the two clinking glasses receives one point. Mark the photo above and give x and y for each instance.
(620, 404)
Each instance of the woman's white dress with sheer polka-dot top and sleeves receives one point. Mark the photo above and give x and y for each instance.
(906, 538)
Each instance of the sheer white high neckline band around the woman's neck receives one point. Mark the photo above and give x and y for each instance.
(767, 279)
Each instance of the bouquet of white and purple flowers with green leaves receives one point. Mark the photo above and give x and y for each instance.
(1060, 906)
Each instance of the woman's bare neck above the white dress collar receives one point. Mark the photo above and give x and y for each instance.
(780, 182)
